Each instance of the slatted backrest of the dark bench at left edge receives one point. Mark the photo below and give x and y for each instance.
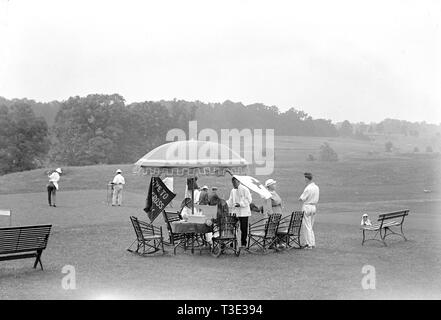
(22, 239)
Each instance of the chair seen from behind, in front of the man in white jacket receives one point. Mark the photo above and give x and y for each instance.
(224, 236)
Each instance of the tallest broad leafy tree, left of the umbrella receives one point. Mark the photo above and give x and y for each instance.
(90, 130)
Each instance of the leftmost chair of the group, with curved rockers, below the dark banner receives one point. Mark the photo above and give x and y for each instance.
(148, 237)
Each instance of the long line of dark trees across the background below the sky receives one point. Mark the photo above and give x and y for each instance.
(104, 129)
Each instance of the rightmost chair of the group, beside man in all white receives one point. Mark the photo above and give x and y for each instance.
(288, 233)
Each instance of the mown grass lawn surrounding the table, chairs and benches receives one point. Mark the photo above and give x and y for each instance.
(93, 237)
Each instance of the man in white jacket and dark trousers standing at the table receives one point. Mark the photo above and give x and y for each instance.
(239, 204)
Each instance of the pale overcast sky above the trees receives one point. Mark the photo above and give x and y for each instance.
(356, 60)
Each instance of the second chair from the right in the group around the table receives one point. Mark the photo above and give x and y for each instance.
(263, 233)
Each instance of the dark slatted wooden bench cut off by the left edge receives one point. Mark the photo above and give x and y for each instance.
(24, 242)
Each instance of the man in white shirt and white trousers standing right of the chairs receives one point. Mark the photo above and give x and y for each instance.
(309, 199)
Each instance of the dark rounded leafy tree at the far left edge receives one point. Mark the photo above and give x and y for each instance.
(24, 139)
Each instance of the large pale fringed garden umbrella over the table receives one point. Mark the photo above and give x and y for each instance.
(191, 158)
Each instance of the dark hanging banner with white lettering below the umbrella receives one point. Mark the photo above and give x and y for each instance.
(158, 197)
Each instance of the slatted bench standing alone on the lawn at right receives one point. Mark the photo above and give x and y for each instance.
(384, 225)
